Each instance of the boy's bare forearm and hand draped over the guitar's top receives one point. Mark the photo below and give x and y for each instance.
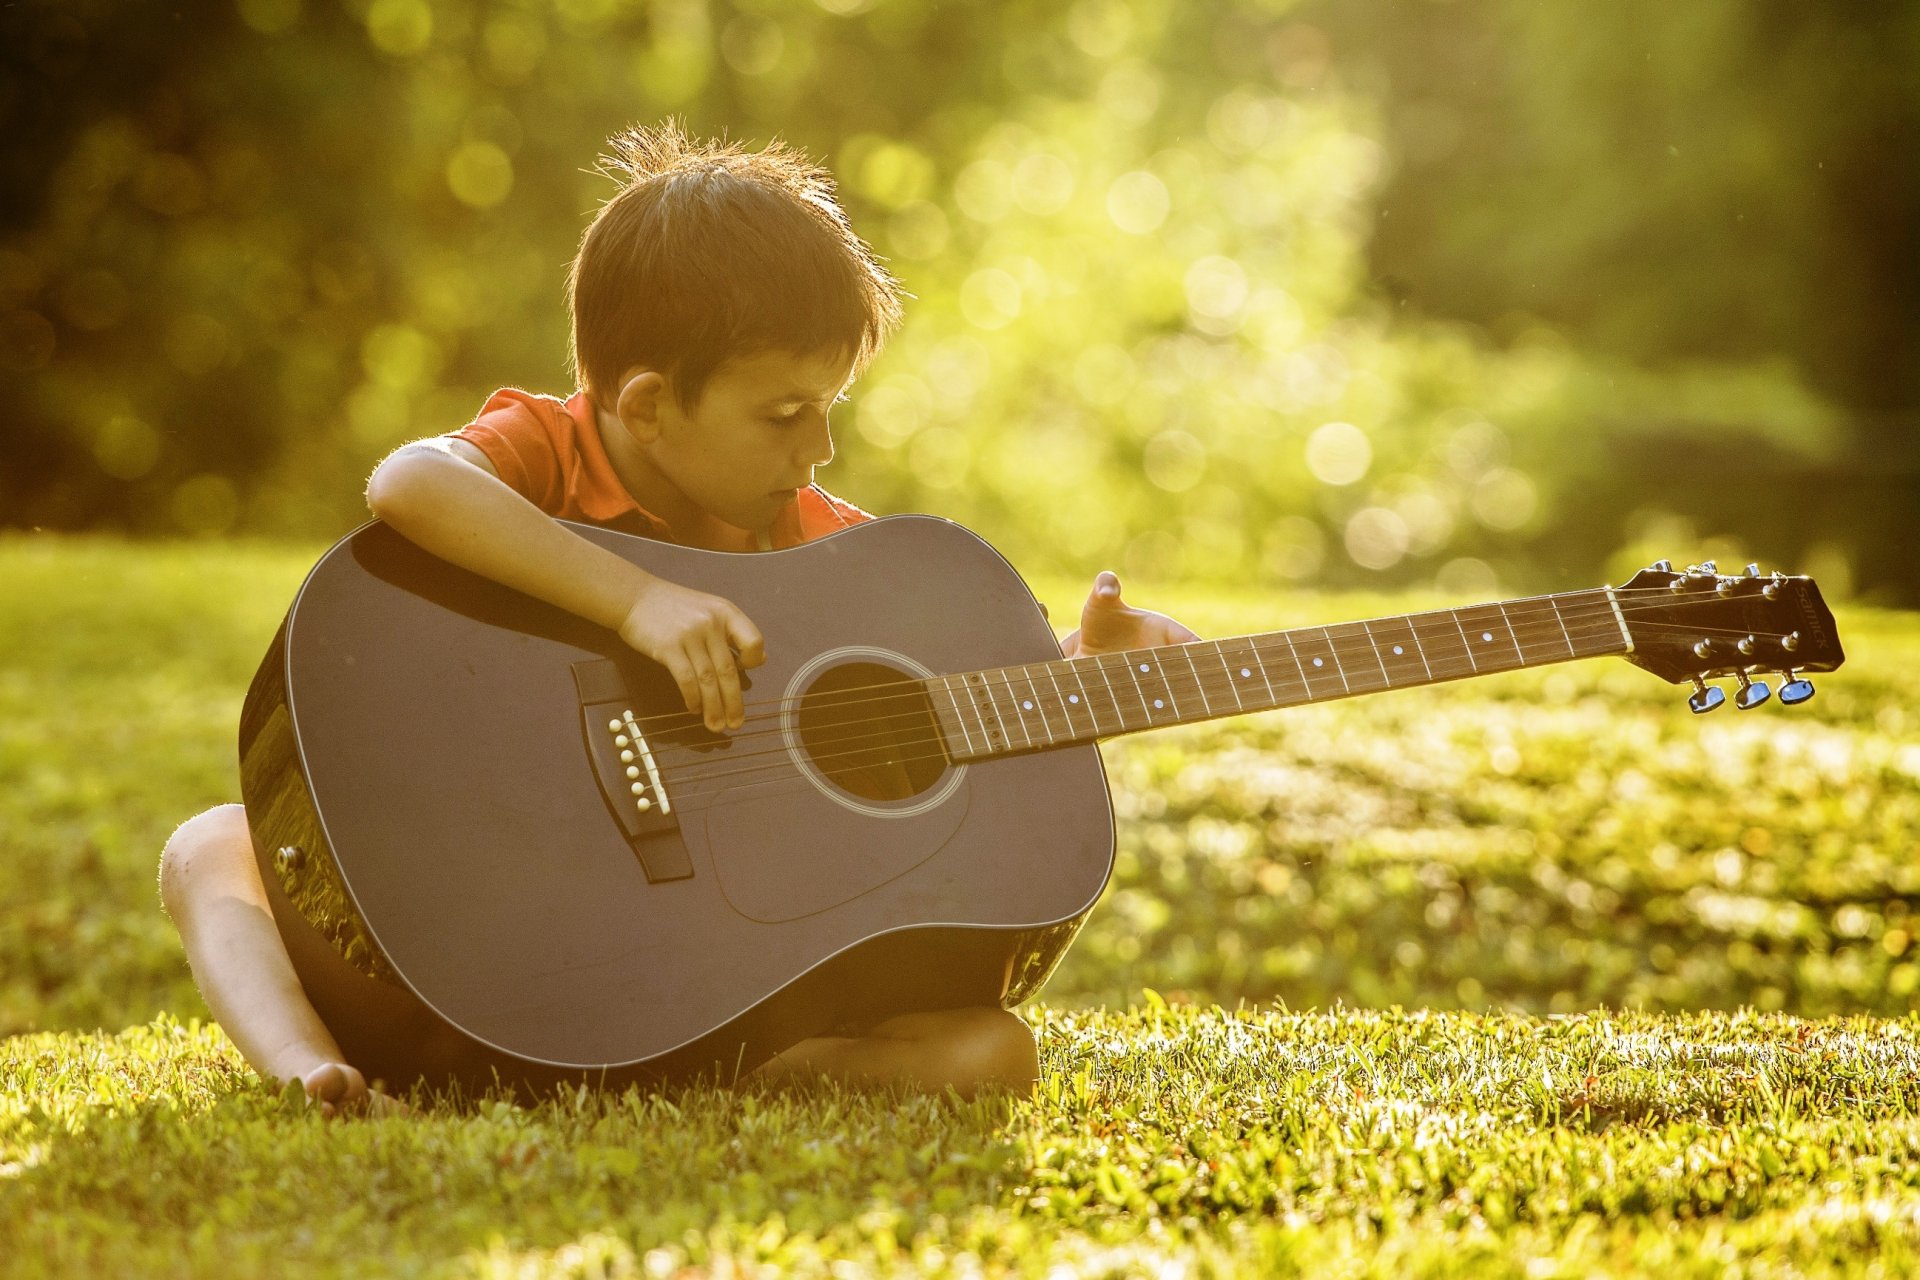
(444, 496)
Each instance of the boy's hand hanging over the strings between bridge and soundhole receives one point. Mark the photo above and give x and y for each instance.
(696, 638)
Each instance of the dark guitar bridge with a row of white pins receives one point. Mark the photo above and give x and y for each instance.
(629, 774)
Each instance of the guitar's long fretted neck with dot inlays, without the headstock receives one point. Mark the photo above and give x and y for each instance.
(1044, 705)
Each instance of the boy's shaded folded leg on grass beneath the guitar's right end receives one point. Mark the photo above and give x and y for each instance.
(967, 1051)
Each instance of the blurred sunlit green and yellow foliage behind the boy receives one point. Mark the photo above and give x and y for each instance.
(1237, 291)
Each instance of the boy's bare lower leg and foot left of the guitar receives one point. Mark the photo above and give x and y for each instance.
(212, 889)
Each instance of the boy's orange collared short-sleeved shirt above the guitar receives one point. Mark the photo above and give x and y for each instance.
(548, 452)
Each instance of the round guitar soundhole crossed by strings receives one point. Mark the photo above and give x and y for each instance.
(871, 732)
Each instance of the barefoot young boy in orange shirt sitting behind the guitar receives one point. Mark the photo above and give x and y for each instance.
(721, 308)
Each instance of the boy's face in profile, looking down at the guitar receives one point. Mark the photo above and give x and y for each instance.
(756, 439)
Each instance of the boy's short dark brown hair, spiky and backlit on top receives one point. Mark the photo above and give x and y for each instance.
(713, 252)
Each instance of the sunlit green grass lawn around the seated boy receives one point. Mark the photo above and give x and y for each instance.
(1510, 861)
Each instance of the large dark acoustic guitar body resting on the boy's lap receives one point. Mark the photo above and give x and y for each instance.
(471, 895)
